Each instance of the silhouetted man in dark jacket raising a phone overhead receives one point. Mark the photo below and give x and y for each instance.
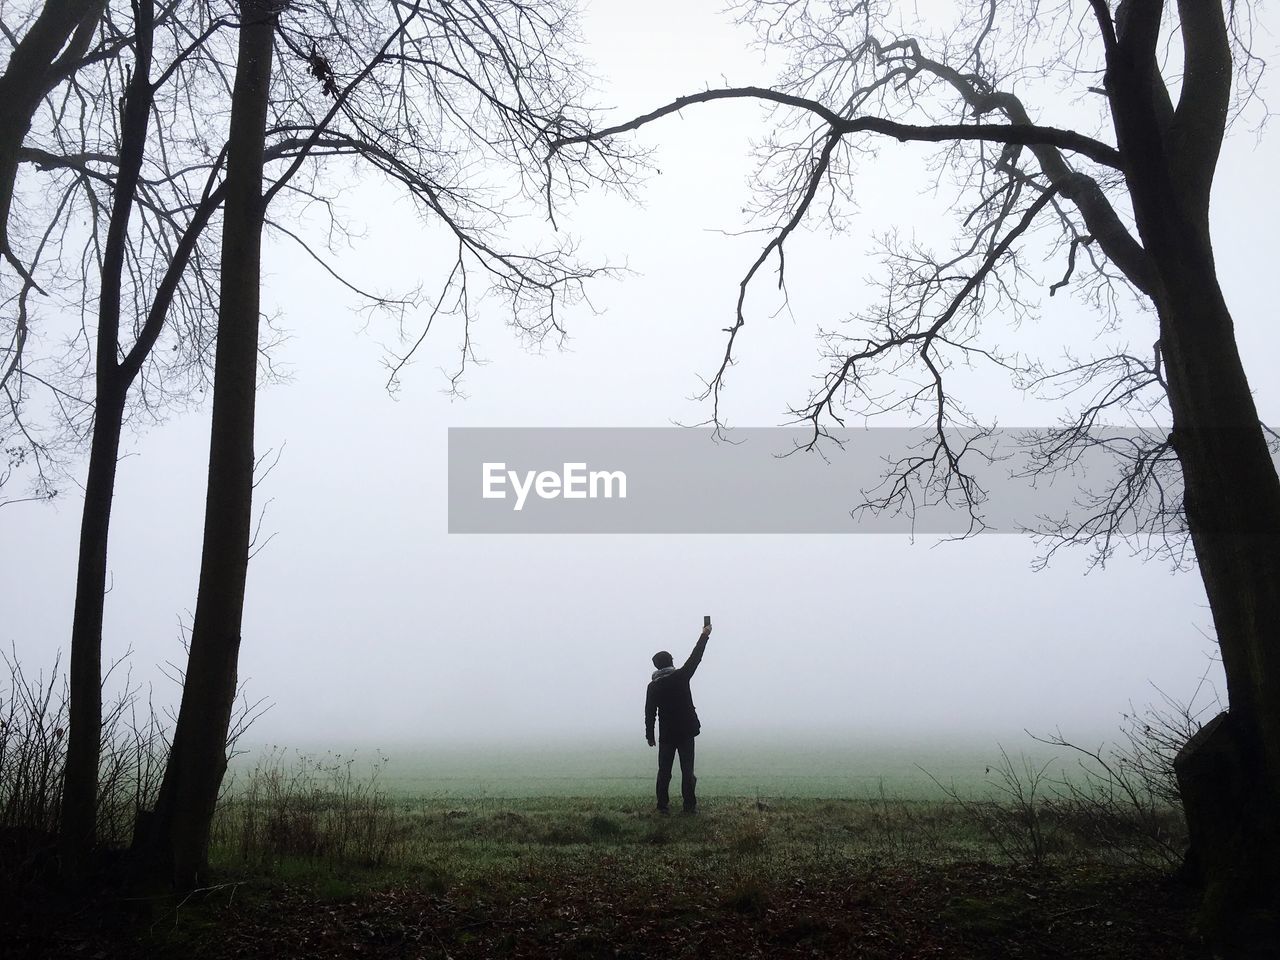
(673, 703)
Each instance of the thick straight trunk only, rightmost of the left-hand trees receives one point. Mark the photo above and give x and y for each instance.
(180, 830)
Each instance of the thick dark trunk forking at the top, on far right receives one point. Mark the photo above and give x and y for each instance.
(1229, 775)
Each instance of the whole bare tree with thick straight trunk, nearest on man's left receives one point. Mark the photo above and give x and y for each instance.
(438, 100)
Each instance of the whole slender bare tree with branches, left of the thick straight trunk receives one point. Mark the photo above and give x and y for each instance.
(148, 205)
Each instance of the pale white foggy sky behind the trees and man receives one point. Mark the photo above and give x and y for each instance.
(367, 621)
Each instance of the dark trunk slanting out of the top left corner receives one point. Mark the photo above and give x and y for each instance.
(47, 52)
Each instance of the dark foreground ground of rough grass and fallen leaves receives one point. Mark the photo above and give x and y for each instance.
(609, 879)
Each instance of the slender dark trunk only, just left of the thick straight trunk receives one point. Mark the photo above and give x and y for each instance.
(80, 785)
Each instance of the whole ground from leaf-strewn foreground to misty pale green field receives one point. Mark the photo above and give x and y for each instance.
(346, 856)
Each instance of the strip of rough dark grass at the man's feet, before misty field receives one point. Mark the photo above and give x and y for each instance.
(492, 842)
